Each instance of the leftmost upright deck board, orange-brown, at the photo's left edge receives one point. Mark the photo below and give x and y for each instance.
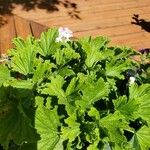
(7, 33)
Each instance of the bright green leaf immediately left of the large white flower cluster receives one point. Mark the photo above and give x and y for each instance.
(46, 45)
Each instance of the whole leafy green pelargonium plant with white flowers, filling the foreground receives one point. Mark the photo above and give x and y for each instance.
(63, 94)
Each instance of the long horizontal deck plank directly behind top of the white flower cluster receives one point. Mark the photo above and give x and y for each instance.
(77, 26)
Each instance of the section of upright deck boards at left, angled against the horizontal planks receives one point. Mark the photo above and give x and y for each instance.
(17, 26)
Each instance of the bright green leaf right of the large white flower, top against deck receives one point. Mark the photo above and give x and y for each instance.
(92, 49)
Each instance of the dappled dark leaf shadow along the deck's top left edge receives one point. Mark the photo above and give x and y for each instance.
(7, 7)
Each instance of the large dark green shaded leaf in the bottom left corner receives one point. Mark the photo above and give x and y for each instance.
(15, 126)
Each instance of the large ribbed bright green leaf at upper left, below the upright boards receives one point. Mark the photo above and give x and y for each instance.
(23, 56)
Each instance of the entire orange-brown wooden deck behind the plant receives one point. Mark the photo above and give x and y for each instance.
(112, 18)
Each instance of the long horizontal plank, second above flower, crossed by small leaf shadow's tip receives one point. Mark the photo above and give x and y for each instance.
(95, 14)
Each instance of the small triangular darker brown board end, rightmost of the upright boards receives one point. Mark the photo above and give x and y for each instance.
(37, 29)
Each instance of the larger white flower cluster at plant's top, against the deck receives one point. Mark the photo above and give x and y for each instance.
(64, 35)
